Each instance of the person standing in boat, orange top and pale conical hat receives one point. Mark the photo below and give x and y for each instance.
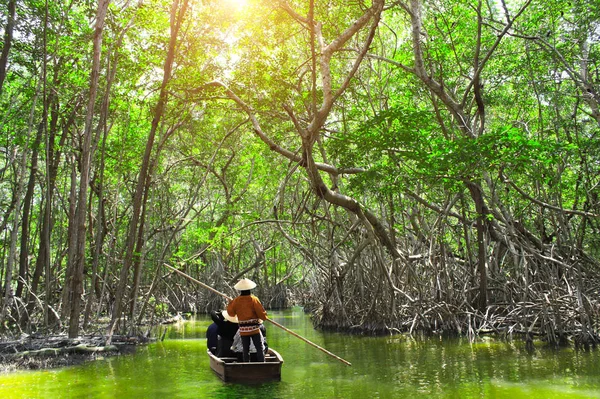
(249, 312)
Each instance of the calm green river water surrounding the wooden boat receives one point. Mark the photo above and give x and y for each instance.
(382, 367)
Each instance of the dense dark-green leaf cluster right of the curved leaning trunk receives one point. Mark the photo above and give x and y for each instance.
(405, 146)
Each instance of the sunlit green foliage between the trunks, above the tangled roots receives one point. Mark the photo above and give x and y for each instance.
(214, 182)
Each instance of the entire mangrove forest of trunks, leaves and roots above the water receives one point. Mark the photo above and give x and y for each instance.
(391, 166)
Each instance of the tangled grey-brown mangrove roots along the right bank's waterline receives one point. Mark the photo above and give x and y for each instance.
(559, 305)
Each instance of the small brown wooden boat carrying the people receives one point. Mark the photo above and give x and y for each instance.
(230, 370)
